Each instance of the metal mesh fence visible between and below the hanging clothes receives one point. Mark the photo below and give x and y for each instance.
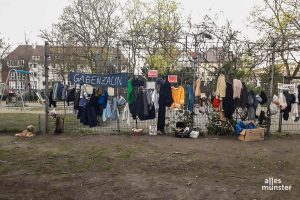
(13, 119)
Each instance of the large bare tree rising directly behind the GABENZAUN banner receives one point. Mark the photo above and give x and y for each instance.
(92, 25)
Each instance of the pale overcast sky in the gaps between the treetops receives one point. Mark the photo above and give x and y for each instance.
(18, 17)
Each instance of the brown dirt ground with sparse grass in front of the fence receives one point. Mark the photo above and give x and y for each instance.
(146, 167)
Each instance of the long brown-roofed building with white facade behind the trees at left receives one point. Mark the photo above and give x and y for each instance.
(62, 60)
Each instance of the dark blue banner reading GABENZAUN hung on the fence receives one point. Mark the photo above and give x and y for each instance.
(100, 80)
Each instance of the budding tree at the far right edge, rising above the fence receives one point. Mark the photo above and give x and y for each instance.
(278, 20)
